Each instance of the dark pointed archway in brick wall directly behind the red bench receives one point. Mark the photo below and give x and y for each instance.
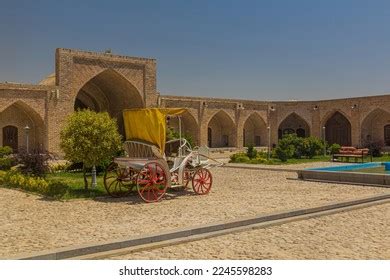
(338, 130)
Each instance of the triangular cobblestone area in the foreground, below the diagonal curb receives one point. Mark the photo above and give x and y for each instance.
(358, 234)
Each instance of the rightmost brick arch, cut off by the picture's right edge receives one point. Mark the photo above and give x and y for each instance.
(375, 127)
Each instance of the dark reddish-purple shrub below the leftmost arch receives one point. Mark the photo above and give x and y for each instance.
(33, 163)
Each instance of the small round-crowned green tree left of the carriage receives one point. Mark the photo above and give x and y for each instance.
(90, 138)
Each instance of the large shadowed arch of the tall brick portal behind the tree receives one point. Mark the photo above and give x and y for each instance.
(109, 92)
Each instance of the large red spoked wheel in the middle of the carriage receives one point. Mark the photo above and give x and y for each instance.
(152, 182)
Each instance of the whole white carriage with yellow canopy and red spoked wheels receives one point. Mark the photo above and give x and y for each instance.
(152, 165)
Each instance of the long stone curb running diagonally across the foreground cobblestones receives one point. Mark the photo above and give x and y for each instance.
(90, 249)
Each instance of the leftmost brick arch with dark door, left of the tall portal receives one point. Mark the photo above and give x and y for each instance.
(20, 115)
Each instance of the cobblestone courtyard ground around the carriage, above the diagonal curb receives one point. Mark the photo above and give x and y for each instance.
(29, 223)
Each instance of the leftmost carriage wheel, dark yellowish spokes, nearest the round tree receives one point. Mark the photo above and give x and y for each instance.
(118, 181)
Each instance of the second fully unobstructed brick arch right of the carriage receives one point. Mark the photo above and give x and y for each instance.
(255, 131)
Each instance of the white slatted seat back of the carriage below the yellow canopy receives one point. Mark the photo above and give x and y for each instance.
(141, 149)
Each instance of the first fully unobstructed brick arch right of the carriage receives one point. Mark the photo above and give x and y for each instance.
(221, 131)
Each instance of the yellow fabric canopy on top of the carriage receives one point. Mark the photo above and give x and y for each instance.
(148, 124)
